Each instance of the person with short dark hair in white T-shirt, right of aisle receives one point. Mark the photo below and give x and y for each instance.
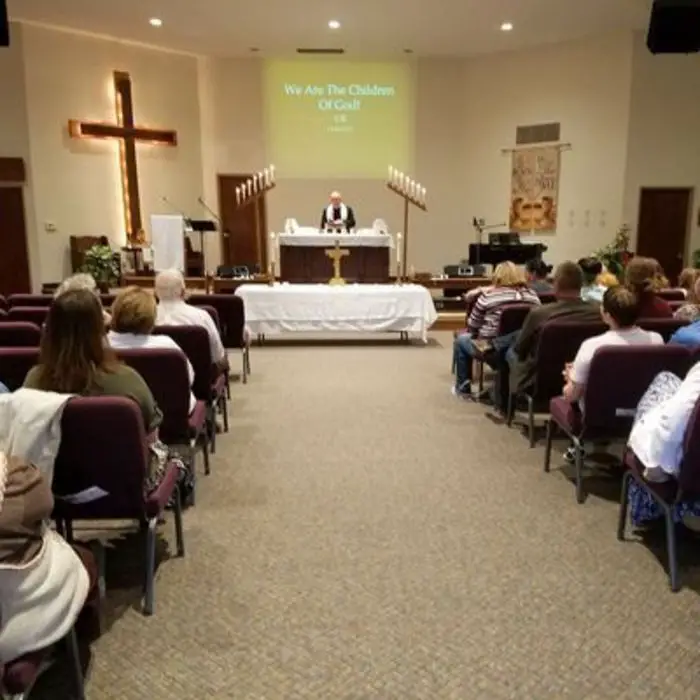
(620, 311)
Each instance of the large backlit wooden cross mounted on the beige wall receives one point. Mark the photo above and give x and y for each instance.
(128, 134)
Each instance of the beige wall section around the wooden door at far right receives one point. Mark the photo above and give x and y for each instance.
(664, 130)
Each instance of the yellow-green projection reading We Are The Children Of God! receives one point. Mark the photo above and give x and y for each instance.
(339, 118)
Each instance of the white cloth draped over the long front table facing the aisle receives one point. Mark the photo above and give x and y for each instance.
(322, 308)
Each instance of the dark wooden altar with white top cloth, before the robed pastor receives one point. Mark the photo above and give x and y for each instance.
(302, 256)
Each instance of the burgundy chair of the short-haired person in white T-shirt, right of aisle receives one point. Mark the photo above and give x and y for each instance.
(618, 378)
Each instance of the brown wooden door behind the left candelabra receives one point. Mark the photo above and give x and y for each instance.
(239, 239)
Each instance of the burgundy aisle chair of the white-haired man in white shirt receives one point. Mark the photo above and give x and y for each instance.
(209, 384)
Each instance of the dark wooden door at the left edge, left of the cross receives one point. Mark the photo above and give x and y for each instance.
(14, 259)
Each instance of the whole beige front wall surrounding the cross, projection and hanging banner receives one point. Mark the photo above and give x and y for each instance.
(631, 118)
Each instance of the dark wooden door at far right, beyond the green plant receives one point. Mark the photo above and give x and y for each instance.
(664, 220)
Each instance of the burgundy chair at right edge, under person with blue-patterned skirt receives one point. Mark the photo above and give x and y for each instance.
(668, 494)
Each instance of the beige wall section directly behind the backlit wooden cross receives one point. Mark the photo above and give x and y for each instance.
(76, 183)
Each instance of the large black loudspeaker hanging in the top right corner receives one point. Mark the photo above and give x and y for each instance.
(674, 26)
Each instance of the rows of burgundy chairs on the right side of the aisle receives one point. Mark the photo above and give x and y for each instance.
(618, 378)
